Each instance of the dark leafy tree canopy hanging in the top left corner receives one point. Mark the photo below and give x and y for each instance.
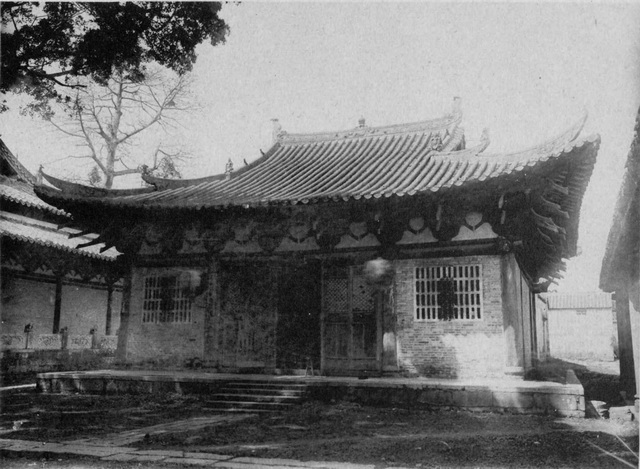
(44, 47)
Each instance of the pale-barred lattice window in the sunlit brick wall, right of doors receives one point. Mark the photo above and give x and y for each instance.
(448, 292)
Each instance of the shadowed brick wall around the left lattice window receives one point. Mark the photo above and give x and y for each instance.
(168, 343)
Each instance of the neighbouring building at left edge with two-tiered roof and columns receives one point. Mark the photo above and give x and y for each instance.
(49, 286)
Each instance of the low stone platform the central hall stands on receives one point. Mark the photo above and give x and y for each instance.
(504, 395)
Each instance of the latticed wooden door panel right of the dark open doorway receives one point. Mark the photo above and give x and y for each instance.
(350, 332)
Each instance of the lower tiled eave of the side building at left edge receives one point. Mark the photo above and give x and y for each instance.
(38, 232)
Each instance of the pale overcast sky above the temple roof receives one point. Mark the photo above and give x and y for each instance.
(526, 71)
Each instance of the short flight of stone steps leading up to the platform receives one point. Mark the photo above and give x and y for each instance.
(257, 396)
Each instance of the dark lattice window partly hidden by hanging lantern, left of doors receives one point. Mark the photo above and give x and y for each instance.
(165, 300)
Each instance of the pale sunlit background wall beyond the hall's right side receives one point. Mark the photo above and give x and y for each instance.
(576, 334)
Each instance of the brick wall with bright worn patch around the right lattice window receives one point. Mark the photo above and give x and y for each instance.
(456, 348)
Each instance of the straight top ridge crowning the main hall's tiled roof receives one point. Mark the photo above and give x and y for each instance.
(447, 122)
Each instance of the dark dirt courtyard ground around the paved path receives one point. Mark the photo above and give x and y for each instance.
(343, 432)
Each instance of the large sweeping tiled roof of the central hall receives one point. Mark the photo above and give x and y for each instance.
(364, 163)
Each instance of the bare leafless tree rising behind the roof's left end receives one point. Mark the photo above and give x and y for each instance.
(110, 121)
